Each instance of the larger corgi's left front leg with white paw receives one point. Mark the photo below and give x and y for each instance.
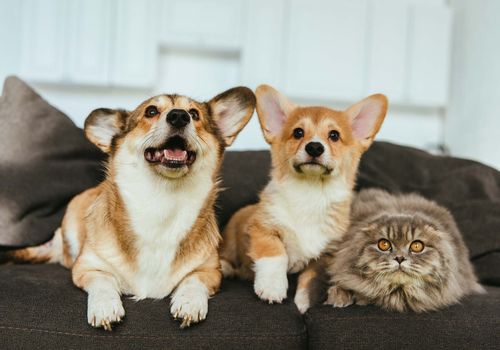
(104, 305)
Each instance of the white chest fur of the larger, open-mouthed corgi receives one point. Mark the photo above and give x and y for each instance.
(161, 216)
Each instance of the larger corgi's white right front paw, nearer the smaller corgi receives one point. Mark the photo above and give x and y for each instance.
(189, 303)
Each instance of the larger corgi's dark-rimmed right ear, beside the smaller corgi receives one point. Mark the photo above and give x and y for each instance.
(232, 110)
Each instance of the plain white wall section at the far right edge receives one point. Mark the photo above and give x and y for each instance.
(473, 120)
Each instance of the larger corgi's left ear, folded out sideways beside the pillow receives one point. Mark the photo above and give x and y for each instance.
(103, 124)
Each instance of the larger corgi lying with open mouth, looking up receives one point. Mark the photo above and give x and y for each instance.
(149, 229)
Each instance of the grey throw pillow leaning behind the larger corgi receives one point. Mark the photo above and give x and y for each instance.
(45, 160)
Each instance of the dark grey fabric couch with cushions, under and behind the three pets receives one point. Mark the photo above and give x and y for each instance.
(41, 308)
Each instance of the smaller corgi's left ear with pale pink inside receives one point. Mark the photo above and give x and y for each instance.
(273, 109)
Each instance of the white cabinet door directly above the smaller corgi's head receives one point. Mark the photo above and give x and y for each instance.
(326, 49)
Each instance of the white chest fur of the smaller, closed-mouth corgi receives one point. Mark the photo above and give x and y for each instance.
(303, 210)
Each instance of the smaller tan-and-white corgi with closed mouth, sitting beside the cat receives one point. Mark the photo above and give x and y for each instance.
(305, 207)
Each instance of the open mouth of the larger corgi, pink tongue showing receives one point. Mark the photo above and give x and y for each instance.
(173, 154)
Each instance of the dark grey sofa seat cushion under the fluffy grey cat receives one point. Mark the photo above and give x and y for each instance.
(473, 324)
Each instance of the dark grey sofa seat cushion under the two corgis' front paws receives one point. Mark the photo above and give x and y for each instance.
(41, 308)
